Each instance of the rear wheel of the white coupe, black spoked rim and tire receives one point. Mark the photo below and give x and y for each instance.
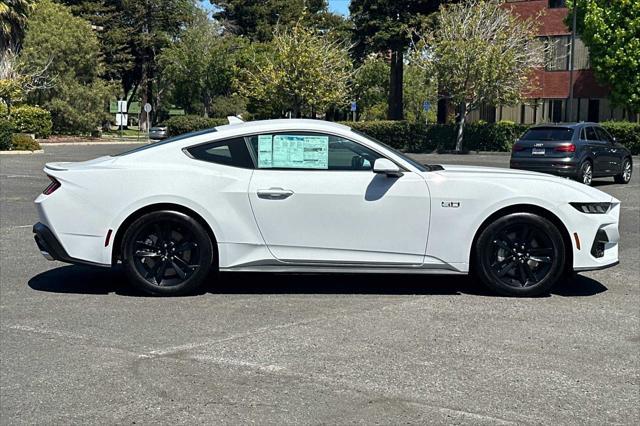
(167, 253)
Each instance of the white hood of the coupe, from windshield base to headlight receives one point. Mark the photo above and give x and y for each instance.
(478, 172)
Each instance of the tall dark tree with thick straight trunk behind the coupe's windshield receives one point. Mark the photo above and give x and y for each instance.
(383, 26)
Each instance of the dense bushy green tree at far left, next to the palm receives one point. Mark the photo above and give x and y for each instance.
(71, 49)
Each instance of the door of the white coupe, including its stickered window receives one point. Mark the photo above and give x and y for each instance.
(316, 200)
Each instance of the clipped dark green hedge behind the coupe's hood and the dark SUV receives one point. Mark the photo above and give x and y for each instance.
(479, 136)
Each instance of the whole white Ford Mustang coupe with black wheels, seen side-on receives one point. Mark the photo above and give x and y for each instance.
(314, 196)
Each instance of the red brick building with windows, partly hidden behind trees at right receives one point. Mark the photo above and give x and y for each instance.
(550, 100)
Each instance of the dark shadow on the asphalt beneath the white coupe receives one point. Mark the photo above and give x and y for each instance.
(96, 281)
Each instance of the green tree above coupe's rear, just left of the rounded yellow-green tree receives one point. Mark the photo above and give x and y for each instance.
(200, 67)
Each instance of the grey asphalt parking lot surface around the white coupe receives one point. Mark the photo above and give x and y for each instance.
(78, 346)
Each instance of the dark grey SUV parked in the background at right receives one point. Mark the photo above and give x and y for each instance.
(581, 151)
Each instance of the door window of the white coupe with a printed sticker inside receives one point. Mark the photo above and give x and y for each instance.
(306, 150)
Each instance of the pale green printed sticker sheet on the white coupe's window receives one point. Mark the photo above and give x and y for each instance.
(293, 152)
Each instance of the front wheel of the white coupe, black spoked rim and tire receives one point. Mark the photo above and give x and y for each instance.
(520, 254)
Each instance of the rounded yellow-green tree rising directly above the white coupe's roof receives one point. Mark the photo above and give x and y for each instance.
(301, 71)
